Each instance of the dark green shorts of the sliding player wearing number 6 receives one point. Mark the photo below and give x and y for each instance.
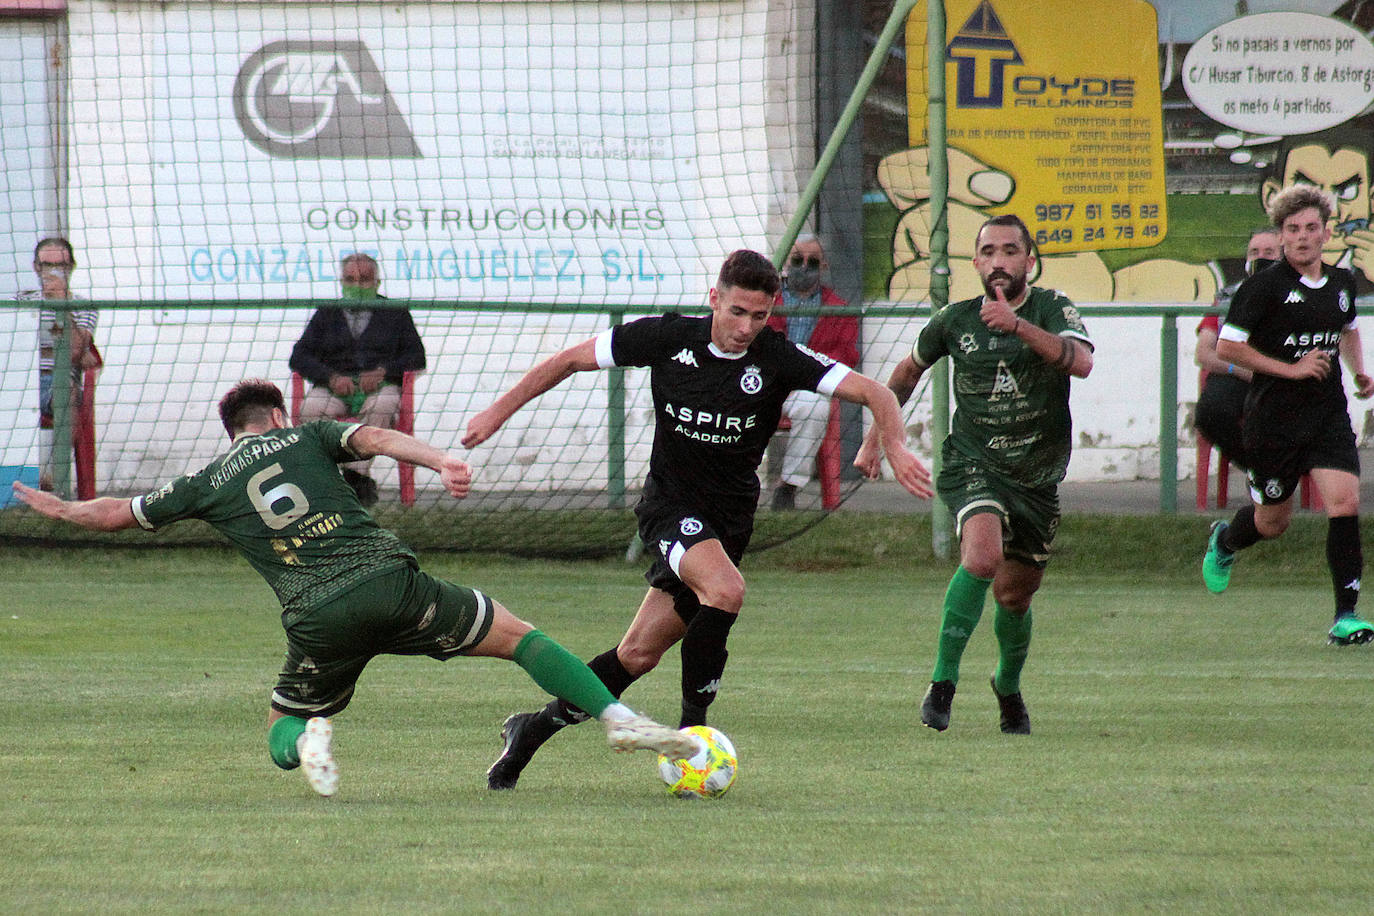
(399, 613)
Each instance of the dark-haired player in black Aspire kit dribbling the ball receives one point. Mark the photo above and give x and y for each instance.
(718, 385)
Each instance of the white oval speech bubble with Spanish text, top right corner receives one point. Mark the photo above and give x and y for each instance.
(1281, 73)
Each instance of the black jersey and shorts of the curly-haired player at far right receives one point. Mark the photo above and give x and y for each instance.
(1284, 315)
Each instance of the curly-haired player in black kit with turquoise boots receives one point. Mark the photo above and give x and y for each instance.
(1289, 325)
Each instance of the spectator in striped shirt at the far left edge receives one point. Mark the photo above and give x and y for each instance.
(54, 262)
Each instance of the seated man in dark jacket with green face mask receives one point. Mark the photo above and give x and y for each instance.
(355, 360)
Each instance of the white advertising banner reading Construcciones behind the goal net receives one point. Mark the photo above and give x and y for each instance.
(497, 152)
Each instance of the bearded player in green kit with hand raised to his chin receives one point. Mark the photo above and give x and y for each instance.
(1013, 352)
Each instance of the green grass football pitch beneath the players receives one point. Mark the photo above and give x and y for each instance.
(1191, 753)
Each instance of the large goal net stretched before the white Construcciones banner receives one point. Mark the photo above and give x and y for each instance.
(524, 172)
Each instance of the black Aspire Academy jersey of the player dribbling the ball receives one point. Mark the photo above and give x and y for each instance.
(714, 411)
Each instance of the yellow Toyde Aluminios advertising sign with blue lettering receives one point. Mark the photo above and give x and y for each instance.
(1053, 113)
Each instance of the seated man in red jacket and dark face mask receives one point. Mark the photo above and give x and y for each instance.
(833, 336)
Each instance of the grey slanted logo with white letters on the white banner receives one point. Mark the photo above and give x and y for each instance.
(319, 101)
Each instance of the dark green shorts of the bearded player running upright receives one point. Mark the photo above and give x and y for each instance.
(1030, 516)
